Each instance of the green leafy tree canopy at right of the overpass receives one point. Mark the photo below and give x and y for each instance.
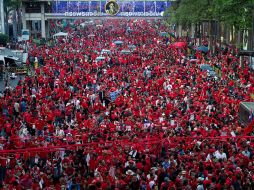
(237, 13)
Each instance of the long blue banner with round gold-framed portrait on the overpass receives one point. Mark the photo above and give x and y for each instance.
(99, 8)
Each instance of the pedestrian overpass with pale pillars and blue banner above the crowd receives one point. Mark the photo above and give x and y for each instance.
(39, 15)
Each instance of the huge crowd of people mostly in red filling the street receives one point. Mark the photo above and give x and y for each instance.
(145, 119)
